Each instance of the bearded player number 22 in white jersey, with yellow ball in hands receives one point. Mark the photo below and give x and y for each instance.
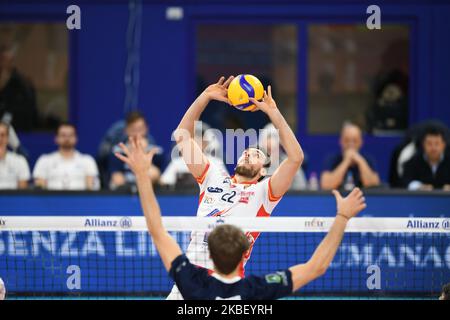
(248, 193)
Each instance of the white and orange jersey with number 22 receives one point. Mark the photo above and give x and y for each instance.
(220, 195)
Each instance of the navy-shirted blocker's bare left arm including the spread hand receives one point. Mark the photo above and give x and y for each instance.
(140, 162)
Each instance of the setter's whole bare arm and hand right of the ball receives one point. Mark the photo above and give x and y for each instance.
(282, 178)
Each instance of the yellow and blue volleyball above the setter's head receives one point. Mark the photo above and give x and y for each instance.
(241, 88)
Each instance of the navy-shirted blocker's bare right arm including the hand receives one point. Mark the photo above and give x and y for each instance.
(347, 208)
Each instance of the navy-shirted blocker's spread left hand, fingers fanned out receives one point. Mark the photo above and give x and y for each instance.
(135, 157)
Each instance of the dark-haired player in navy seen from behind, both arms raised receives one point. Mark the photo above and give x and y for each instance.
(228, 246)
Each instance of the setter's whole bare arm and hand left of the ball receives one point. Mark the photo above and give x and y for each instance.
(191, 152)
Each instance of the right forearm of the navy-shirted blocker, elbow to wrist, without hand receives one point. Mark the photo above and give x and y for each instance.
(325, 252)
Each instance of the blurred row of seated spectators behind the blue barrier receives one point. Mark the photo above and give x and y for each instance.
(420, 162)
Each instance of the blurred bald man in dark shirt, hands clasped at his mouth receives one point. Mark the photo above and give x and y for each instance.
(350, 168)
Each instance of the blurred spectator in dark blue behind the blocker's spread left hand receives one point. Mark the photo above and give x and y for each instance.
(120, 173)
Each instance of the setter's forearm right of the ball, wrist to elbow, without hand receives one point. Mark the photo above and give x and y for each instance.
(288, 140)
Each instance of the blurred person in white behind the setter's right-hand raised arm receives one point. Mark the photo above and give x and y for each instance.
(269, 140)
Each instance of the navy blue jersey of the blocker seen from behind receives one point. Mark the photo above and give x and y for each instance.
(195, 283)
